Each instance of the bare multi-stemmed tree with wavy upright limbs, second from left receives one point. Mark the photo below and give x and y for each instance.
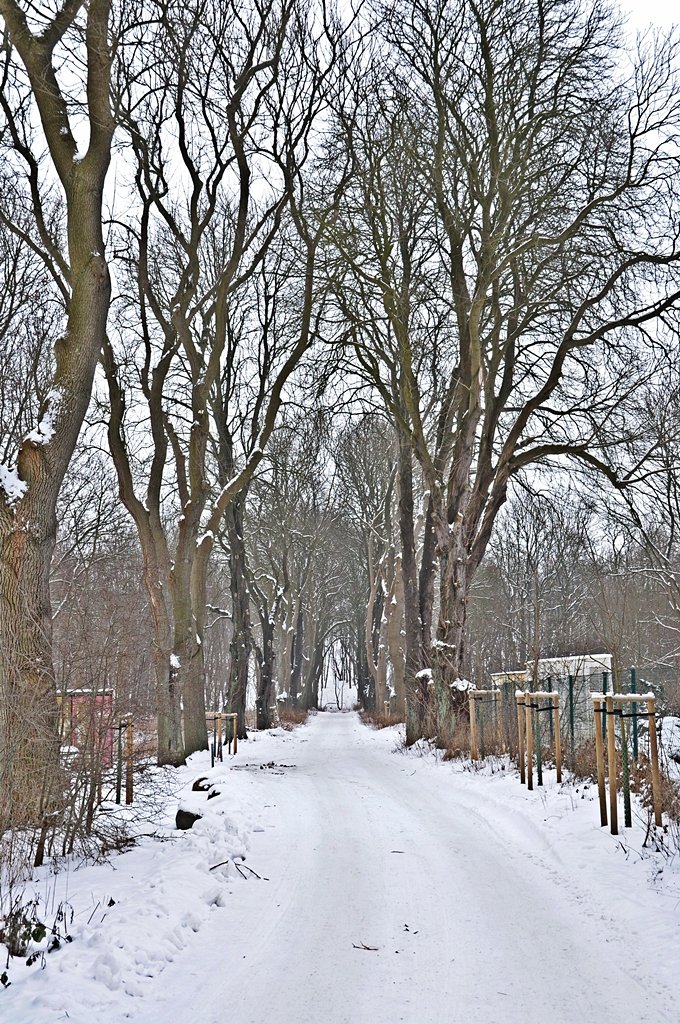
(244, 89)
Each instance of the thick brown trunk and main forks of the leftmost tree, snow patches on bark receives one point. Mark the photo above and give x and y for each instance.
(28, 523)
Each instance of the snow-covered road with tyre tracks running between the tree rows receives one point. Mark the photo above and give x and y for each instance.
(367, 848)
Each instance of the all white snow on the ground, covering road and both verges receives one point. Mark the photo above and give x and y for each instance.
(394, 888)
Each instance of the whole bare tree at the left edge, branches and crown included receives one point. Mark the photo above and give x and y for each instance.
(68, 238)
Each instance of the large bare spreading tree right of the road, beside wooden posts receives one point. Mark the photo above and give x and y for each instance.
(505, 263)
